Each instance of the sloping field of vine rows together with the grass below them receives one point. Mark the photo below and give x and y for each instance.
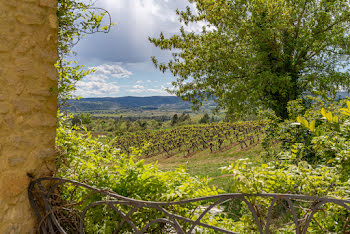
(202, 149)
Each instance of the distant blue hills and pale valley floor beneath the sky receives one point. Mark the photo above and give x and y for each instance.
(133, 108)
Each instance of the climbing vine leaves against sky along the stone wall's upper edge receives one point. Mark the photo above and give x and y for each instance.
(76, 18)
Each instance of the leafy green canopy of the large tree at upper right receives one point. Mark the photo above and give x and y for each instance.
(259, 53)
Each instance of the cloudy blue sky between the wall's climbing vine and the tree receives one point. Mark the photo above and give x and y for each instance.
(121, 57)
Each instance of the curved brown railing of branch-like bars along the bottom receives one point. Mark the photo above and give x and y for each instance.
(118, 214)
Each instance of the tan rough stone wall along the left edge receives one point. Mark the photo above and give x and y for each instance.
(28, 105)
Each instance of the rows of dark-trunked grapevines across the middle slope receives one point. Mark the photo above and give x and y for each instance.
(192, 139)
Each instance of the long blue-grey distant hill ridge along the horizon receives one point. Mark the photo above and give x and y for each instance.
(129, 102)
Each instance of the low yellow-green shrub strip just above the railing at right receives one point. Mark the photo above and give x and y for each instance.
(283, 177)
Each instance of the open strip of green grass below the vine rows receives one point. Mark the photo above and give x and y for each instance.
(205, 164)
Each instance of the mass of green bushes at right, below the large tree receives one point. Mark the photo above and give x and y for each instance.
(313, 160)
